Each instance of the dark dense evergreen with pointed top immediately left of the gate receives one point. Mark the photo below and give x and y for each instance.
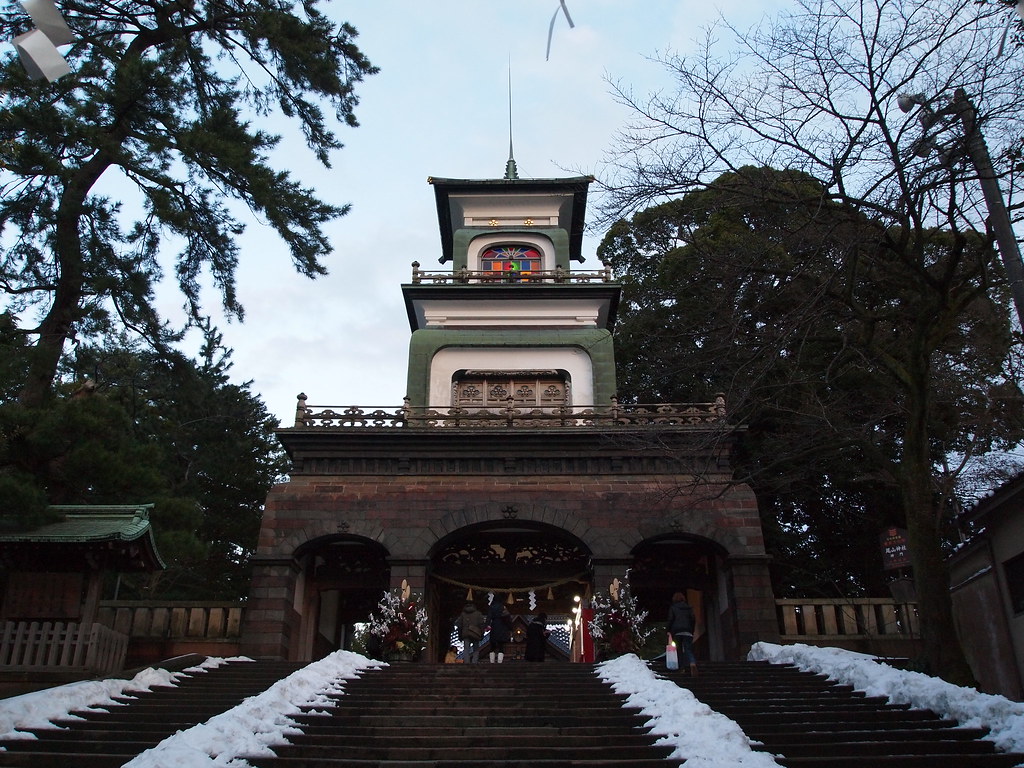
(219, 457)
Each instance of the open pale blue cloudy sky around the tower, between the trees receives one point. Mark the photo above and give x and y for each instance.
(440, 107)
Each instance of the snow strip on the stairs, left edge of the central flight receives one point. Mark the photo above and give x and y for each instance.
(259, 721)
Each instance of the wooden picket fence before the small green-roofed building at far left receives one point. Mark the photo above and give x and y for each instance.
(91, 647)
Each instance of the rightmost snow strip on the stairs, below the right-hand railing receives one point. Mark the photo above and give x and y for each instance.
(973, 710)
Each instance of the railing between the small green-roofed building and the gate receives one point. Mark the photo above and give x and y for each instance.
(174, 621)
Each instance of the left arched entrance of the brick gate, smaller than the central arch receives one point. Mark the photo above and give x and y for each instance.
(344, 578)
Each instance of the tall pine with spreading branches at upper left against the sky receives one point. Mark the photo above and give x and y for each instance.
(169, 99)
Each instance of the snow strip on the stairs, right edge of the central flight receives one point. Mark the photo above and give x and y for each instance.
(702, 738)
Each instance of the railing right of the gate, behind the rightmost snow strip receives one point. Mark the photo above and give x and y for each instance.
(815, 620)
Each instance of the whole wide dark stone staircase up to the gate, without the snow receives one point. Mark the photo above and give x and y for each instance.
(521, 715)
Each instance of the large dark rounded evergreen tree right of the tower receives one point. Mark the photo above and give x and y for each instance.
(859, 356)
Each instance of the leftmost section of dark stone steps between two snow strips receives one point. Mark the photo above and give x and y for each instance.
(109, 739)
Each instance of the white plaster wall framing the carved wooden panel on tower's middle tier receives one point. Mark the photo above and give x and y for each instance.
(573, 360)
